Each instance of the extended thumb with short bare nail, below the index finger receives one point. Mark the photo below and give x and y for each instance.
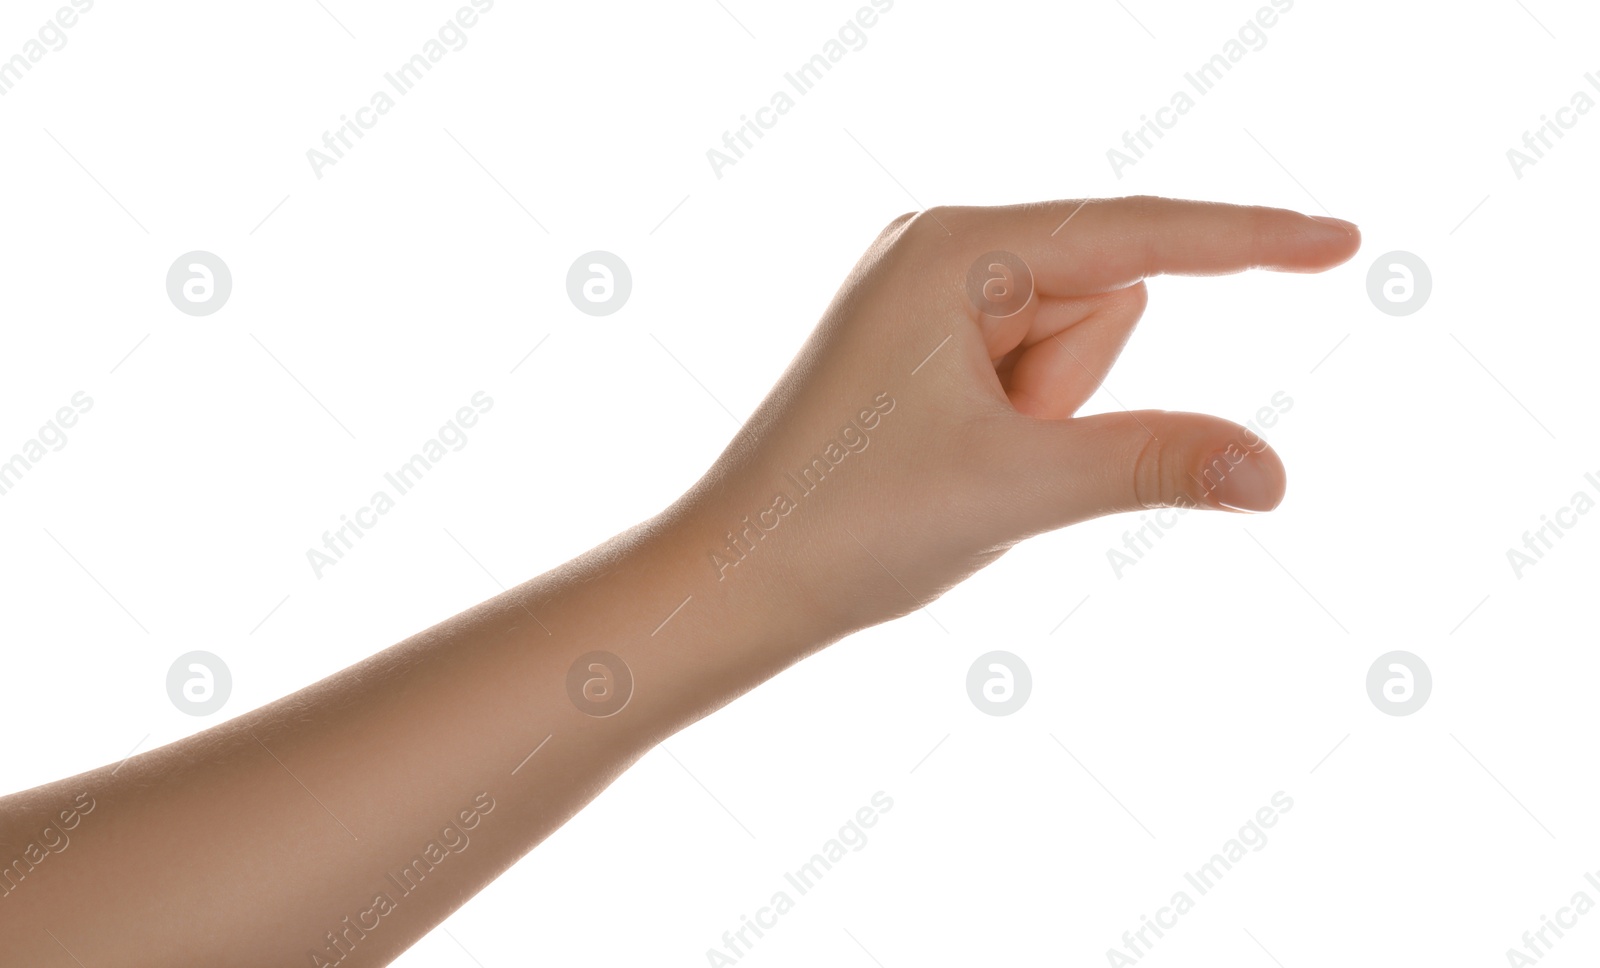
(1102, 465)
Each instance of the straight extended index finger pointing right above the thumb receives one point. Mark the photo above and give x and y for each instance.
(1079, 247)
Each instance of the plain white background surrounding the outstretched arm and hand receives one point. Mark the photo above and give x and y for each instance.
(1226, 666)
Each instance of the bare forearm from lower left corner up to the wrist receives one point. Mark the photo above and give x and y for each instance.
(265, 834)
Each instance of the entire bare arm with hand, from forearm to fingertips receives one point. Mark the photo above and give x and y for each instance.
(945, 436)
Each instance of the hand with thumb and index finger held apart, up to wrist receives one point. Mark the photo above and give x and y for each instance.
(918, 438)
